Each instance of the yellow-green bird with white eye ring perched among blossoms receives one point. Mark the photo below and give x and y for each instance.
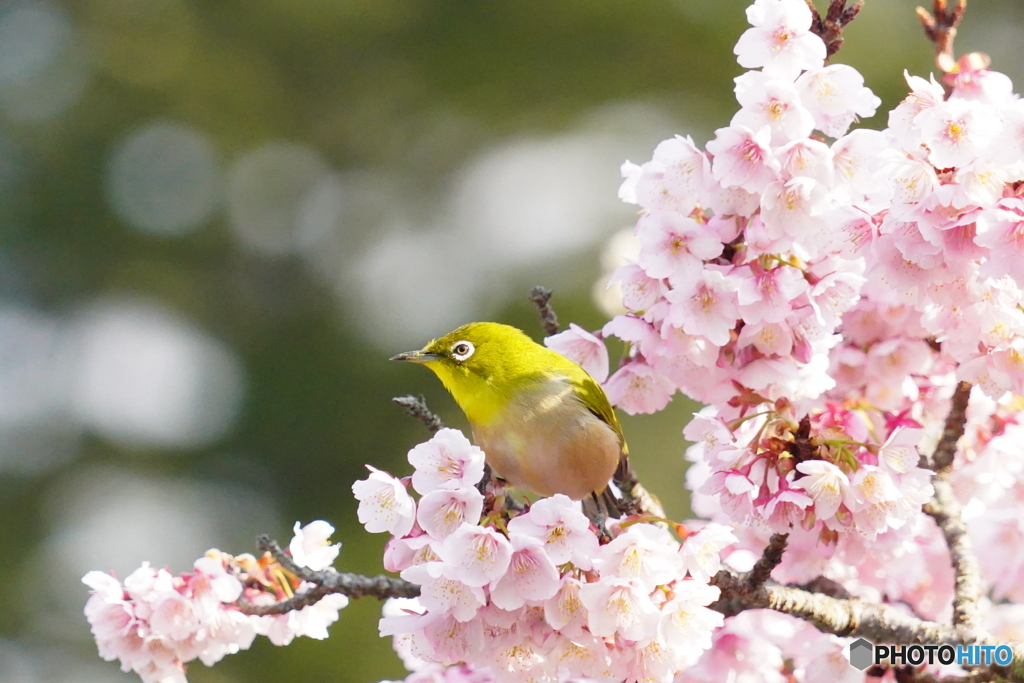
(543, 422)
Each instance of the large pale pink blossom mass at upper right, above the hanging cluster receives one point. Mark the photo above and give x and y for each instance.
(752, 250)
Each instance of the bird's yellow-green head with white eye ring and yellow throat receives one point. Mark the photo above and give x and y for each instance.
(483, 365)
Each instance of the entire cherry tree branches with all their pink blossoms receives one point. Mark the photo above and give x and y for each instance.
(843, 303)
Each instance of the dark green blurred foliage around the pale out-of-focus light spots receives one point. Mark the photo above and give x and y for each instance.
(407, 88)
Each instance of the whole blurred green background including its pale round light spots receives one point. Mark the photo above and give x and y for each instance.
(219, 219)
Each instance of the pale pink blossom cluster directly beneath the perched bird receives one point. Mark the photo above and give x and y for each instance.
(532, 594)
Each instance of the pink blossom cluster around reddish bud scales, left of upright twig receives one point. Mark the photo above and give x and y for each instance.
(838, 473)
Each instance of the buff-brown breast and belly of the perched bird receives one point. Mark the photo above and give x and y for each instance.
(548, 442)
